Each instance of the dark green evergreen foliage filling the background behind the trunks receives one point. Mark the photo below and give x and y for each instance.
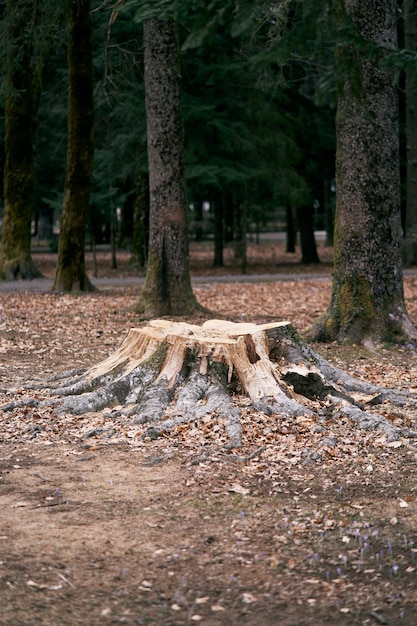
(259, 88)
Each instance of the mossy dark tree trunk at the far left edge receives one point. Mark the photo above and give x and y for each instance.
(20, 108)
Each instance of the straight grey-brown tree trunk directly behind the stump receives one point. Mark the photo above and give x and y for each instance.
(167, 289)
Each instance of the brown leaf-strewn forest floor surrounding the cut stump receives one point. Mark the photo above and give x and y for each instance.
(99, 527)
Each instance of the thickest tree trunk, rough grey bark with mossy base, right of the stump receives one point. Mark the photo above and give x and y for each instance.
(367, 299)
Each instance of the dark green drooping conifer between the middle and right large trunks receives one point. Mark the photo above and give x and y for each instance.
(243, 157)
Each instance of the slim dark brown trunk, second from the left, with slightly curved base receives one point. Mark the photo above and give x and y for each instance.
(71, 273)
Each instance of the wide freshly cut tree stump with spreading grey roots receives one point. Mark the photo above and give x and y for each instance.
(168, 373)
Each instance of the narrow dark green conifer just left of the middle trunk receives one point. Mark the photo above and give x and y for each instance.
(120, 160)
